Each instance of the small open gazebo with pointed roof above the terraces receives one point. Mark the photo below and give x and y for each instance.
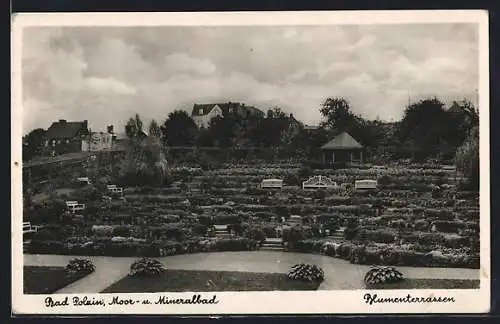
(343, 148)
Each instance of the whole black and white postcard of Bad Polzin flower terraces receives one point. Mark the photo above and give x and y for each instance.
(250, 163)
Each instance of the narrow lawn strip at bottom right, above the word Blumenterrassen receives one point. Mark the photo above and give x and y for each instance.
(430, 284)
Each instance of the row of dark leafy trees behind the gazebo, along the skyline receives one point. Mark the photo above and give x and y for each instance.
(427, 125)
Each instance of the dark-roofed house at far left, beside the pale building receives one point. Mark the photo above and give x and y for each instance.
(66, 137)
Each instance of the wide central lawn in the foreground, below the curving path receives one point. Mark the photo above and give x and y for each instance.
(199, 281)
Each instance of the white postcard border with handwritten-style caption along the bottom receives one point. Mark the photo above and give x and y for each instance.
(319, 302)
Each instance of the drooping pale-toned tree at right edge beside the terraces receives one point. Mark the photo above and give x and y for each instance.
(467, 157)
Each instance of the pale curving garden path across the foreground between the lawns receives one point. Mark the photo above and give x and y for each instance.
(339, 274)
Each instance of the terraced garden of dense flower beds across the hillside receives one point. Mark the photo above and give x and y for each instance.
(418, 216)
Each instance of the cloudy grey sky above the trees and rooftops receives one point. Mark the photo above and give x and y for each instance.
(106, 74)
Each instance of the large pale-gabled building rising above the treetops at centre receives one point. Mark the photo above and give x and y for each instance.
(202, 114)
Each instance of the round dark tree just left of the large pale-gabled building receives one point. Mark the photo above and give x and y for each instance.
(179, 129)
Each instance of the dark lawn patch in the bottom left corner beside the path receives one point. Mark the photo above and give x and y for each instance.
(46, 280)
